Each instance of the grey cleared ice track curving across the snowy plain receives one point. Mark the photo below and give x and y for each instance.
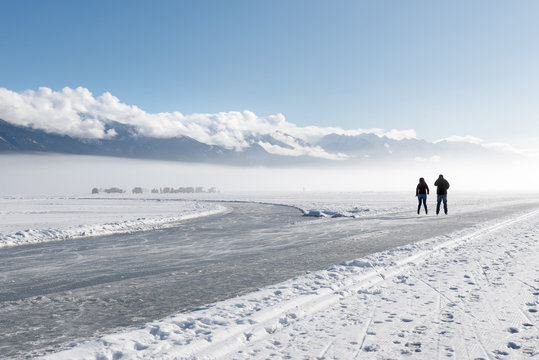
(54, 294)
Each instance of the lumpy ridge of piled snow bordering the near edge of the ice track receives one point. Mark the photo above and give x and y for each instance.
(221, 328)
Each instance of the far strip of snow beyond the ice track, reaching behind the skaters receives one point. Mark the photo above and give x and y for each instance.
(33, 219)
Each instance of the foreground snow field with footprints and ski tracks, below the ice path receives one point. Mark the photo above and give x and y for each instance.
(466, 295)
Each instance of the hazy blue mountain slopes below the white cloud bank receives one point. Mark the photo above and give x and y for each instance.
(267, 149)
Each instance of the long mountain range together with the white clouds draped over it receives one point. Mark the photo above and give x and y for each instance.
(74, 121)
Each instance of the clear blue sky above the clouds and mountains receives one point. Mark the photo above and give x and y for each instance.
(441, 68)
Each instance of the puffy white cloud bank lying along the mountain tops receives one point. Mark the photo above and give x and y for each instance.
(77, 113)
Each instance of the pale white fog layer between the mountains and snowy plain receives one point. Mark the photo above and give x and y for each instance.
(73, 174)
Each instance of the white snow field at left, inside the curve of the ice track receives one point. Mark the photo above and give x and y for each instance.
(28, 220)
